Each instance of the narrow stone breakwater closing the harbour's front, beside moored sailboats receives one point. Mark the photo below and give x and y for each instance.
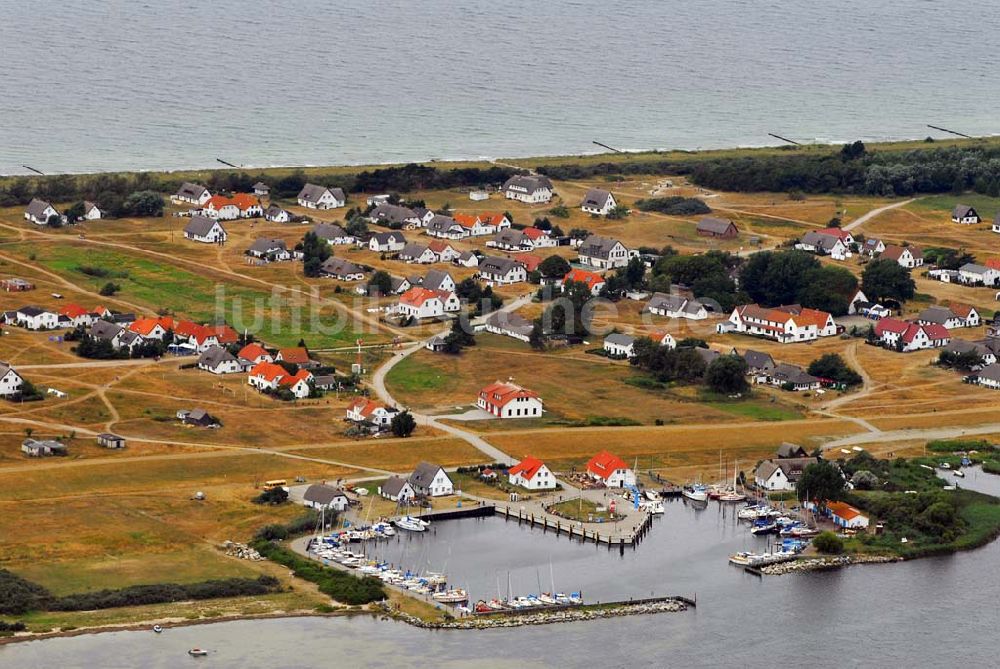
(559, 615)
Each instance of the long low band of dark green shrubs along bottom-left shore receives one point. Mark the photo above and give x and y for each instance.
(18, 595)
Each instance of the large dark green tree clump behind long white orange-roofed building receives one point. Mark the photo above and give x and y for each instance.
(796, 277)
